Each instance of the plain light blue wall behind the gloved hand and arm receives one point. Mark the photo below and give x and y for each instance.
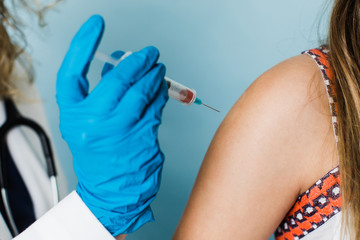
(216, 47)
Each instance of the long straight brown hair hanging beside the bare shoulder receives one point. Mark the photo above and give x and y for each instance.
(344, 46)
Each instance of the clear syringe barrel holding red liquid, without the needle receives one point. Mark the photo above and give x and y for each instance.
(179, 92)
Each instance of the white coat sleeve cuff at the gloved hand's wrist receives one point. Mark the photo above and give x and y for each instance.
(70, 219)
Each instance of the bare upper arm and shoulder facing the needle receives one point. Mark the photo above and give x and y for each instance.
(254, 168)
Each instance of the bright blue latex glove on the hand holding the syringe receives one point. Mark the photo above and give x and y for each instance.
(112, 131)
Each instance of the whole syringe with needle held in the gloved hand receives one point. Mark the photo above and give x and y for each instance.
(176, 90)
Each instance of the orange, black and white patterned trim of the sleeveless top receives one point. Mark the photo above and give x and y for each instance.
(322, 201)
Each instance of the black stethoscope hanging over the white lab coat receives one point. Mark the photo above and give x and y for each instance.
(15, 119)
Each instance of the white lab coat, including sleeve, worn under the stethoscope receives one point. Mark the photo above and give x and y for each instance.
(70, 219)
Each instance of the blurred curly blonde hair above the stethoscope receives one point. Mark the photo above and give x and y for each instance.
(13, 42)
